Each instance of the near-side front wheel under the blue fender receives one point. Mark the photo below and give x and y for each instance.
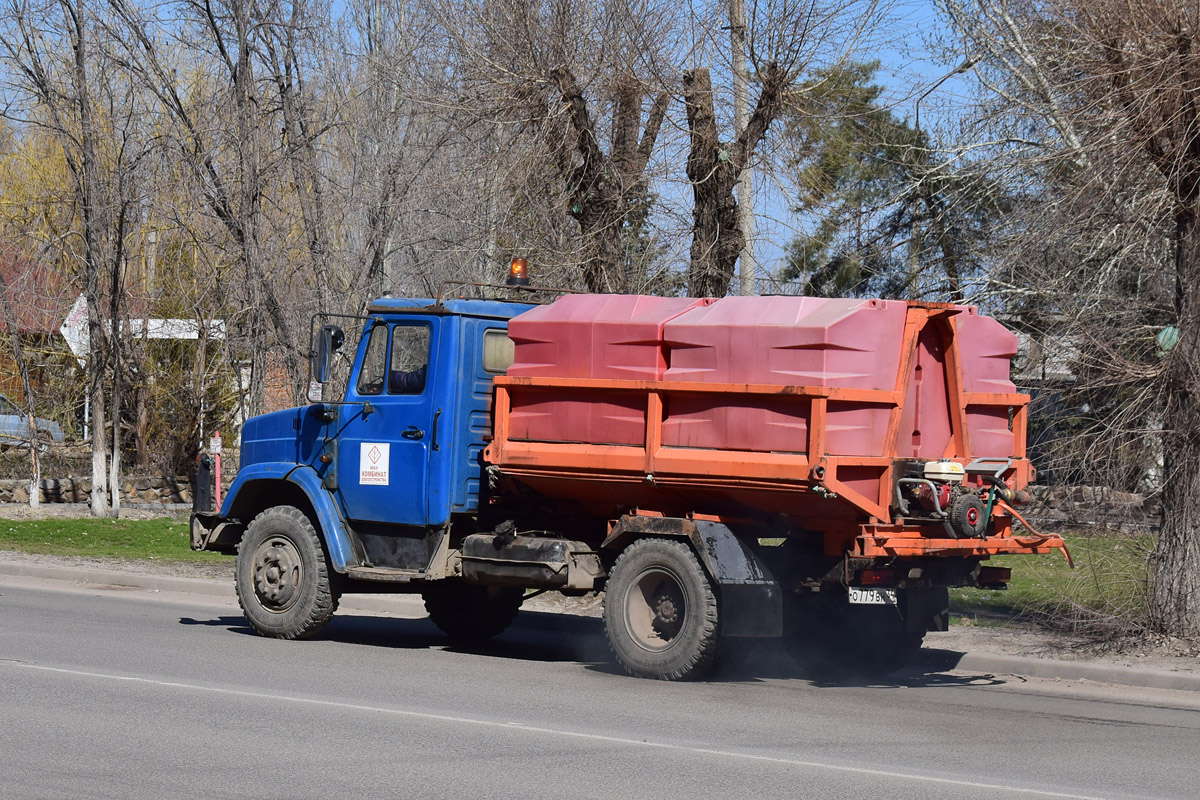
(286, 586)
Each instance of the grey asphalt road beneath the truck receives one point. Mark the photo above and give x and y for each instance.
(111, 694)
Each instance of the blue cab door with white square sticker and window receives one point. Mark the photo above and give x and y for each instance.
(385, 446)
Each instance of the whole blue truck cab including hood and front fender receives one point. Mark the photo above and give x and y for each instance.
(399, 455)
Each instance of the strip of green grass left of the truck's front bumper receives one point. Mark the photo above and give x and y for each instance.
(165, 539)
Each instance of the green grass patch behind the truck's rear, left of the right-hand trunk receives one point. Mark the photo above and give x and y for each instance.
(1109, 582)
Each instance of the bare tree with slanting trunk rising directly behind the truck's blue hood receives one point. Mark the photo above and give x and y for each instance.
(223, 136)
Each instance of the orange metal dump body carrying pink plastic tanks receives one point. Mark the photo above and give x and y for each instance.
(799, 408)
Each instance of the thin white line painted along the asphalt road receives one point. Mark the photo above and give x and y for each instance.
(555, 732)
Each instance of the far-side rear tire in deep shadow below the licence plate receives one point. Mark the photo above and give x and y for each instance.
(833, 640)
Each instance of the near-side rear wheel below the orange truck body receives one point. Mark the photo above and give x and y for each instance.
(661, 613)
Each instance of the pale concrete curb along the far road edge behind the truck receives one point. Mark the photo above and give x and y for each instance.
(412, 607)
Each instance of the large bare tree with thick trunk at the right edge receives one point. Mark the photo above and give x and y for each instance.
(1102, 119)
